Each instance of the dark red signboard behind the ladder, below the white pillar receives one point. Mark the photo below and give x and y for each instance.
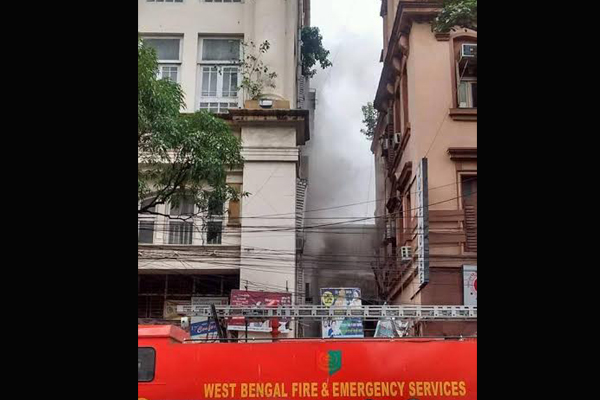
(250, 298)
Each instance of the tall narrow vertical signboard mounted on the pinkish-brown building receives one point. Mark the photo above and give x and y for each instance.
(422, 213)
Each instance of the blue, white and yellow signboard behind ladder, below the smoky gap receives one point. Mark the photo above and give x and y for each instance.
(341, 327)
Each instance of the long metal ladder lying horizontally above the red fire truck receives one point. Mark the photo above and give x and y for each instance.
(368, 313)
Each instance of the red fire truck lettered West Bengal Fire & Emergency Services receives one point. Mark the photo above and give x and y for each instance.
(171, 368)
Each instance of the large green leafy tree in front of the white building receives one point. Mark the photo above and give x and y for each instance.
(179, 154)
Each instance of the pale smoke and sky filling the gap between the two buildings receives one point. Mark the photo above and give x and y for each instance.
(341, 164)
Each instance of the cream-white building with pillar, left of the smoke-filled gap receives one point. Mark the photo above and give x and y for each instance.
(254, 244)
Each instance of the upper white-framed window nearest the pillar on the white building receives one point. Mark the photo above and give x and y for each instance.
(218, 73)
